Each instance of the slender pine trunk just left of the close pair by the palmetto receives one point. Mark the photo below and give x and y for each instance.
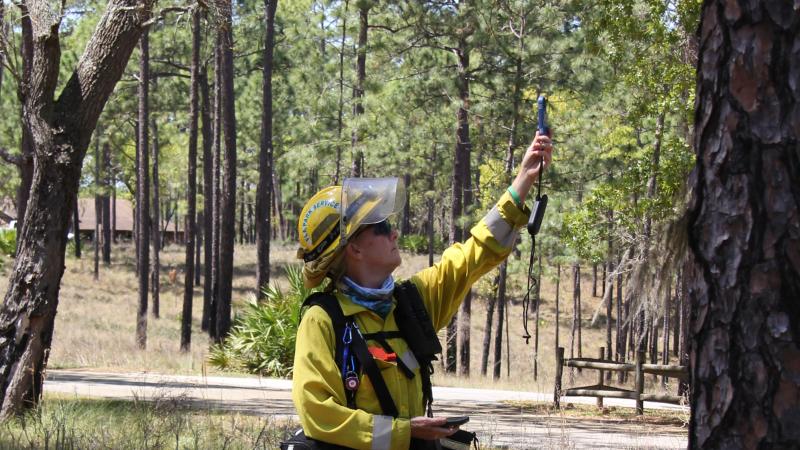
(191, 183)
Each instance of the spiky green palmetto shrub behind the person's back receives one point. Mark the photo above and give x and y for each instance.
(262, 338)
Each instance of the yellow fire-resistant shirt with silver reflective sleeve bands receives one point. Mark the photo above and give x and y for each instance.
(317, 388)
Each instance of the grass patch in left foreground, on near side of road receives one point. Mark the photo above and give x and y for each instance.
(73, 423)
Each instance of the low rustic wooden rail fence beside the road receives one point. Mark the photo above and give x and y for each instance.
(601, 390)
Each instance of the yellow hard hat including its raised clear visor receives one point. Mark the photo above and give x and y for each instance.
(322, 228)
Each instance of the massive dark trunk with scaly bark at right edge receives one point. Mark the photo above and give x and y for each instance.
(744, 230)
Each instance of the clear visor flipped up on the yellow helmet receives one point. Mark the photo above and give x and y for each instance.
(369, 200)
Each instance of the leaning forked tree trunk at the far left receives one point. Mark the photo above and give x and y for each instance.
(61, 129)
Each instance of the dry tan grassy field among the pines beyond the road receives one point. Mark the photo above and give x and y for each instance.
(96, 321)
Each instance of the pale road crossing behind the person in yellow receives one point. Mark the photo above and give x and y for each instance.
(496, 422)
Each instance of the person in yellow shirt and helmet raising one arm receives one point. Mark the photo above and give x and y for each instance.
(345, 237)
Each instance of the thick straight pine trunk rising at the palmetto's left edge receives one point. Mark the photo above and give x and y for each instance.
(228, 197)
